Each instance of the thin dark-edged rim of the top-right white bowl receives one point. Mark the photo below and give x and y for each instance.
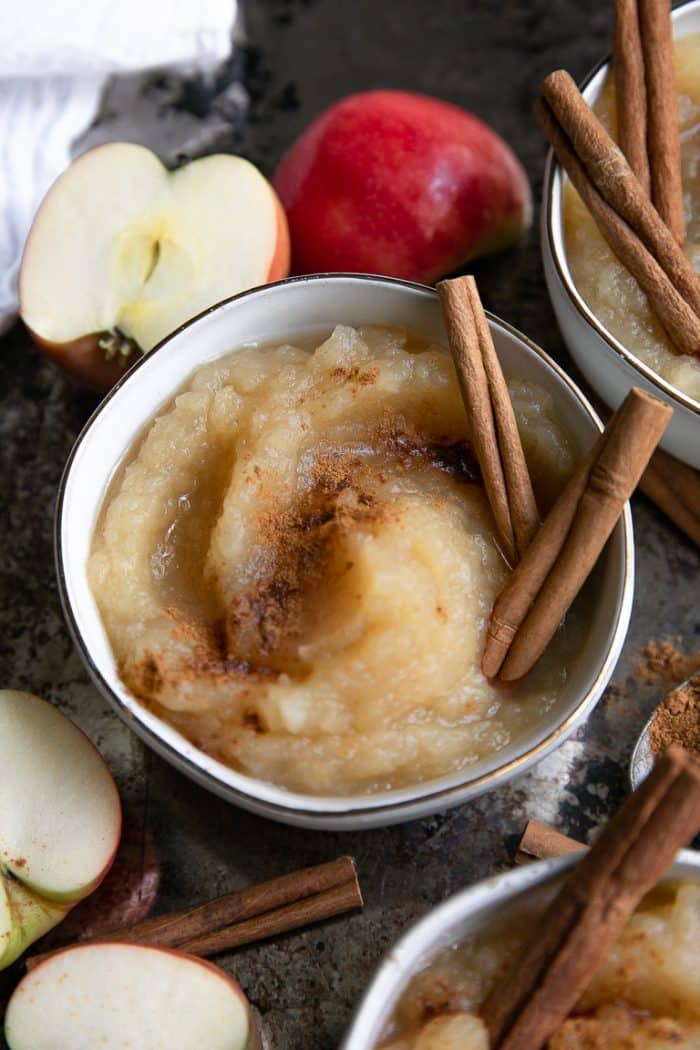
(553, 172)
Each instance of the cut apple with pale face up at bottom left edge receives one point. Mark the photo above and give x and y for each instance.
(115, 996)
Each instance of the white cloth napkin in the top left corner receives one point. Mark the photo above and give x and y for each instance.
(55, 59)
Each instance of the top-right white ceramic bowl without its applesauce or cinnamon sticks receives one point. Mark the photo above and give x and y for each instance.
(610, 368)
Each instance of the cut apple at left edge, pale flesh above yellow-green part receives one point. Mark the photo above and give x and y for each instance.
(60, 820)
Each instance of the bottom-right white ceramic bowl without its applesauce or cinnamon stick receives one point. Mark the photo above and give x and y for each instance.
(461, 916)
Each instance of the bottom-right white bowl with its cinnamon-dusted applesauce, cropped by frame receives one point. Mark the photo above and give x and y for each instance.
(428, 993)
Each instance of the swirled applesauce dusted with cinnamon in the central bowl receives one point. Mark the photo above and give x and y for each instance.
(296, 566)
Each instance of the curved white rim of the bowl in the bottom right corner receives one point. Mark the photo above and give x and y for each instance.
(418, 941)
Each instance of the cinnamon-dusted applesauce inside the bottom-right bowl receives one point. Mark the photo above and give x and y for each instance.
(646, 995)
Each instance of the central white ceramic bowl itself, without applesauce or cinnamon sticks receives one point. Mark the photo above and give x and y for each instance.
(277, 312)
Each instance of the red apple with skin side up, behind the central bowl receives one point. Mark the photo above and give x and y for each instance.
(400, 184)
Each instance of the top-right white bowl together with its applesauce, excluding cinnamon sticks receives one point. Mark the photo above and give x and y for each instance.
(605, 318)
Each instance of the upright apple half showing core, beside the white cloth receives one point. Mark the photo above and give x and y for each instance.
(122, 251)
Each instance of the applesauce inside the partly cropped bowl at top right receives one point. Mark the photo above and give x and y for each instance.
(609, 290)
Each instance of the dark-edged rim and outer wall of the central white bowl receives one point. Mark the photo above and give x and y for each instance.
(343, 811)
